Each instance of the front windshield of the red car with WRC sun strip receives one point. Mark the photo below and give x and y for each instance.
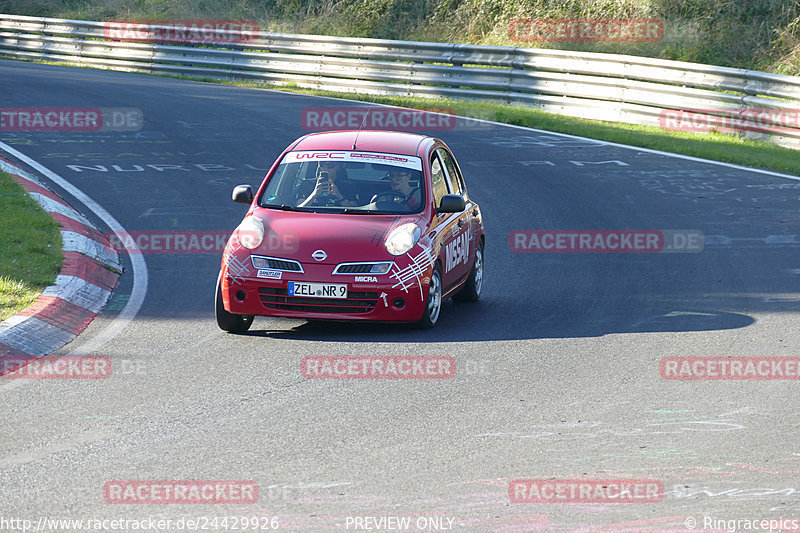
(346, 182)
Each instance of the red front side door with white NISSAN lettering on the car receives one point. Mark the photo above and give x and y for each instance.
(458, 235)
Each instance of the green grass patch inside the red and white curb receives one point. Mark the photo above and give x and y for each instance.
(30, 248)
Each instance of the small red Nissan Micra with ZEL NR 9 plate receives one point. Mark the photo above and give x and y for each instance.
(353, 225)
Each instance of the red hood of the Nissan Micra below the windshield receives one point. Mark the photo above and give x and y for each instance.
(344, 238)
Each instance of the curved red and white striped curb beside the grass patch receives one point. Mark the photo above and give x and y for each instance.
(88, 276)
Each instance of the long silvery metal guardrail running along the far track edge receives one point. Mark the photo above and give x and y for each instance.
(637, 90)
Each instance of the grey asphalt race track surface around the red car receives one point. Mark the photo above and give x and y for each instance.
(558, 372)
